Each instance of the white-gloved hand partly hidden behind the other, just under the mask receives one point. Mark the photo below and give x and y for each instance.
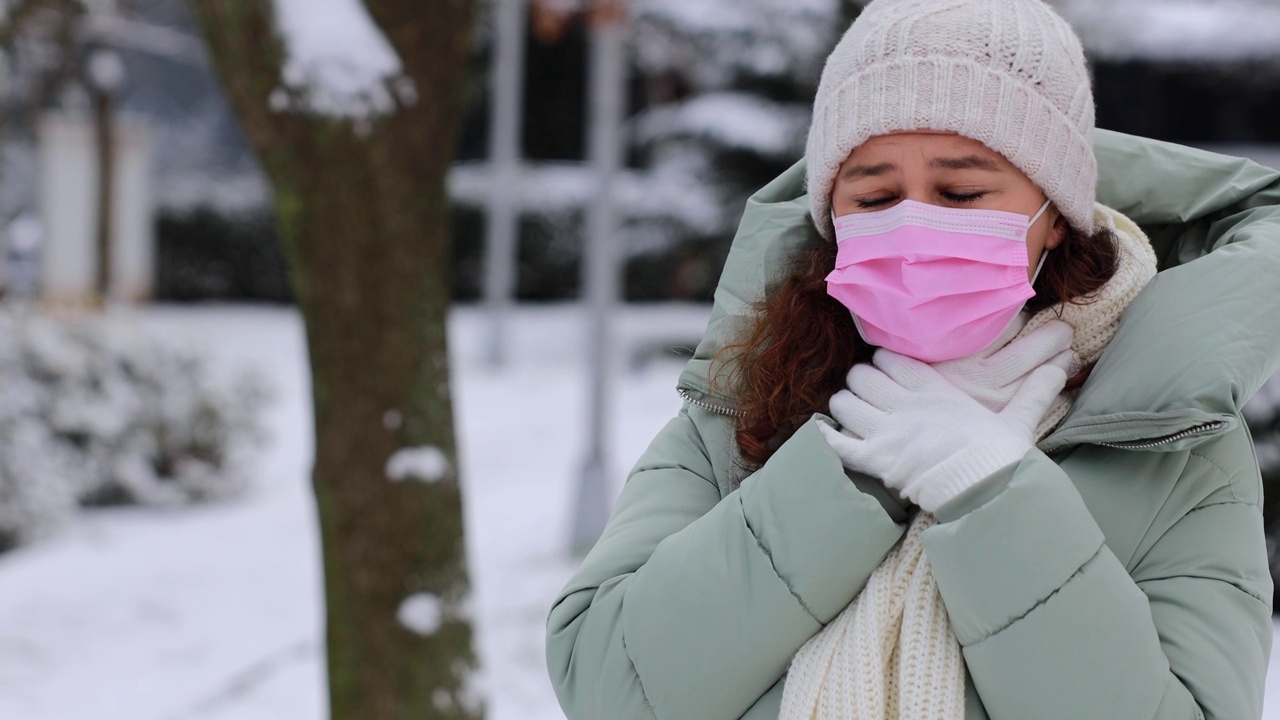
(994, 376)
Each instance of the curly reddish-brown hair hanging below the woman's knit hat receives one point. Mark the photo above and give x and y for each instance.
(796, 353)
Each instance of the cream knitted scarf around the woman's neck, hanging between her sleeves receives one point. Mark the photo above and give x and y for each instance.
(892, 654)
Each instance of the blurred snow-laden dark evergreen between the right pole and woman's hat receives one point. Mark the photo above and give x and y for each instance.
(730, 88)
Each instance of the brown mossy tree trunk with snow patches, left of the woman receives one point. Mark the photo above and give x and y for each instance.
(363, 213)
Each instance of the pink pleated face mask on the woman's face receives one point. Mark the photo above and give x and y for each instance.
(931, 282)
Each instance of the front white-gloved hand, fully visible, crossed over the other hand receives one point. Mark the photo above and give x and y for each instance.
(906, 425)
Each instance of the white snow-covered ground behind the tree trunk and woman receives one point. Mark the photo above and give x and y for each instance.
(214, 613)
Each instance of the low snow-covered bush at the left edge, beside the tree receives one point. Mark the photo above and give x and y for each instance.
(93, 413)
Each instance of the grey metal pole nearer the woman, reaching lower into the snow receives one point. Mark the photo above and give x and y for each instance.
(606, 152)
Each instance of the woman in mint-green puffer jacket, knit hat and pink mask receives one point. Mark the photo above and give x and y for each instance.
(964, 540)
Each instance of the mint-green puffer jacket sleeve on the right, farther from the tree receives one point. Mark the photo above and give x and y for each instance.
(1054, 625)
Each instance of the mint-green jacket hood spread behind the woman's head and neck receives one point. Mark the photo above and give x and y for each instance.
(1191, 349)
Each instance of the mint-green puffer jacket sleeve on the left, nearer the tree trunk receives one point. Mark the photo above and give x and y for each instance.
(692, 605)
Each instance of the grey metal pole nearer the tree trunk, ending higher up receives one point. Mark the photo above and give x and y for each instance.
(506, 97)
